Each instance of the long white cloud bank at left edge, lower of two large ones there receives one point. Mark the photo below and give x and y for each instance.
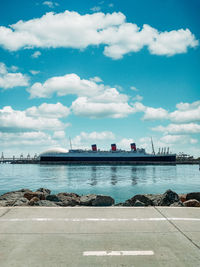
(21, 121)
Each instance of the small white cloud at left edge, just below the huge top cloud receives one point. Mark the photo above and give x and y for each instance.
(10, 80)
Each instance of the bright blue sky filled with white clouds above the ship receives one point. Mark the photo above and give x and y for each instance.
(99, 72)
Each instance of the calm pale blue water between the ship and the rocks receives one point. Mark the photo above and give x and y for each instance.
(120, 182)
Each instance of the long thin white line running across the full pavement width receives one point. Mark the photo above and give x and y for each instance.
(95, 219)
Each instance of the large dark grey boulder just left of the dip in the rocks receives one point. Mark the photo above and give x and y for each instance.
(96, 200)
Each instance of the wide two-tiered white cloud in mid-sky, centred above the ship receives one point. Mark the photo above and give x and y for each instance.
(94, 100)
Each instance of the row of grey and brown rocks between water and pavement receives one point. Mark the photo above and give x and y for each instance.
(43, 197)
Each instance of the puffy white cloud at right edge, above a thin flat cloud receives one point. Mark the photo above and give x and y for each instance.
(186, 112)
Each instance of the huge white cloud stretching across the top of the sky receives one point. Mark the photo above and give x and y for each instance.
(70, 29)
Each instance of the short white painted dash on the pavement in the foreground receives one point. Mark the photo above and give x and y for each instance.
(119, 253)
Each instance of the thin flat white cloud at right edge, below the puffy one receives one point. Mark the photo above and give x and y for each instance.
(190, 128)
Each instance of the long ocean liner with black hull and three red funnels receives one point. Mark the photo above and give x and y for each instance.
(114, 155)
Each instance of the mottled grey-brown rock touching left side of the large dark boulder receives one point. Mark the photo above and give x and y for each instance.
(68, 199)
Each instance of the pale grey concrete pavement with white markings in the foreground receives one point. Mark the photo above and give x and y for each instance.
(113, 236)
